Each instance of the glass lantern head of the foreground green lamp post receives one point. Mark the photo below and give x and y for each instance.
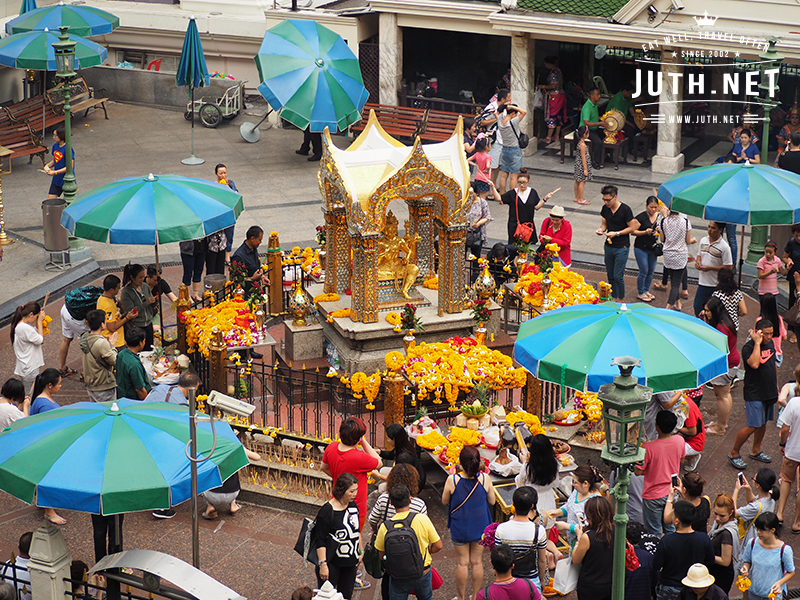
(624, 402)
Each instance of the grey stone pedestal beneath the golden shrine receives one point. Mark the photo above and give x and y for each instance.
(363, 346)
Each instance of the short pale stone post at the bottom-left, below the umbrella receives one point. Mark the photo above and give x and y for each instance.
(49, 564)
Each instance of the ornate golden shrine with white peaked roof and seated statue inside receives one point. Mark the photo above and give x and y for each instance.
(364, 250)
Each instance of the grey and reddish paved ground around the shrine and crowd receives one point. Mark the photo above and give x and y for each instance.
(252, 551)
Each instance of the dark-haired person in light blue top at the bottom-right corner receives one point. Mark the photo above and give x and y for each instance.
(767, 561)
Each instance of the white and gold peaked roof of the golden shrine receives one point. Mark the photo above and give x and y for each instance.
(375, 157)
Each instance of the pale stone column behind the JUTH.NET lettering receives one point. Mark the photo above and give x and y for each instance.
(668, 158)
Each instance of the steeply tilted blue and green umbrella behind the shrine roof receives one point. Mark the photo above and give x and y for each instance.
(310, 73)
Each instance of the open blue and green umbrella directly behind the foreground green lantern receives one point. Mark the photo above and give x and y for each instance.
(573, 346)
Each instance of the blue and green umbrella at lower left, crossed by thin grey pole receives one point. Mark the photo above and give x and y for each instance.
(110, 458)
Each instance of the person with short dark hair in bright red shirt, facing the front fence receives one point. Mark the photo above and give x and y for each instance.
(344, 457)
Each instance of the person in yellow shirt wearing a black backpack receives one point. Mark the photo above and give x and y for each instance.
(429, 543)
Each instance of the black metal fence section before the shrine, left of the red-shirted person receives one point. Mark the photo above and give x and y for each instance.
(303, 401)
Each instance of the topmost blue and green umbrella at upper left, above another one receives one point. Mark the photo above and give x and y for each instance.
(83, 21)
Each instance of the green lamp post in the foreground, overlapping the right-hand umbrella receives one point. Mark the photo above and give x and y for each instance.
(624, 402)
